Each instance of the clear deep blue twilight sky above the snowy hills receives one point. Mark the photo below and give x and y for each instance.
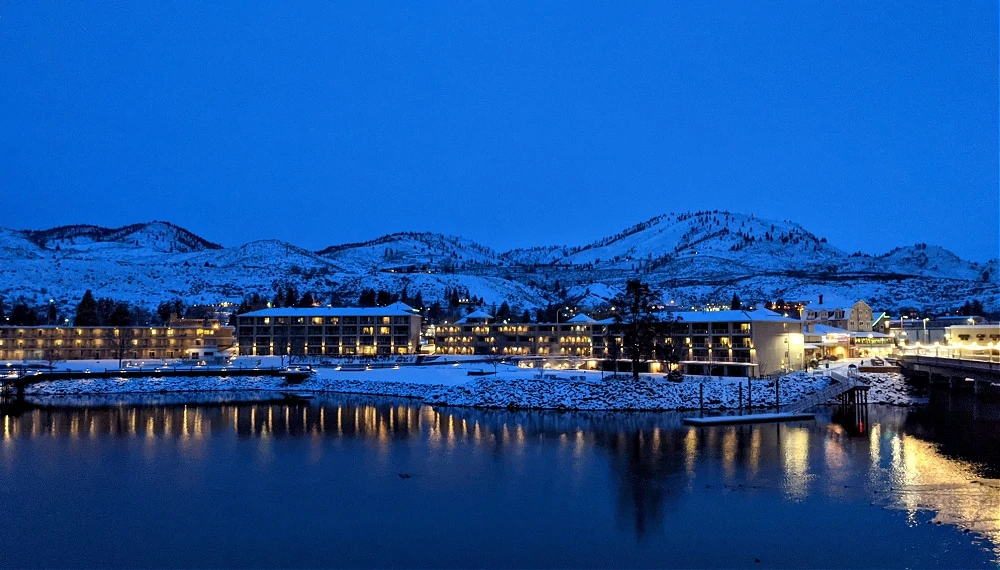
(514, 124)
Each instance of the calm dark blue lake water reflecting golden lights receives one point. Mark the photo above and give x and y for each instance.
(361, 481)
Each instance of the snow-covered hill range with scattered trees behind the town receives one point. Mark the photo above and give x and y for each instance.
(691, 258)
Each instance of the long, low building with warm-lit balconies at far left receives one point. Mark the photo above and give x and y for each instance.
(206, 339)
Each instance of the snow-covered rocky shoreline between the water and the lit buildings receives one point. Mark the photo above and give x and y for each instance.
(510, 388)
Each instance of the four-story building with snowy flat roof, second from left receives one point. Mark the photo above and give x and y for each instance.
(334, 331)
